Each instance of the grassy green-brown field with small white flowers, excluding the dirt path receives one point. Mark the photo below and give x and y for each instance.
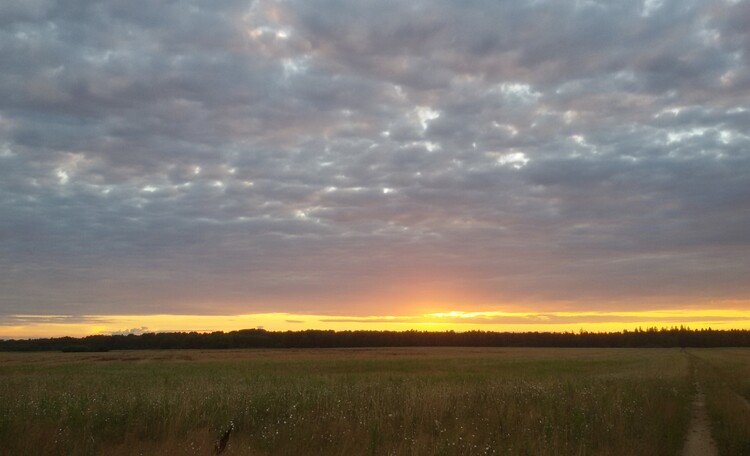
(414, 401)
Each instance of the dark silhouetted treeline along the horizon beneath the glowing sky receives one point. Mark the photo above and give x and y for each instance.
(259, 338)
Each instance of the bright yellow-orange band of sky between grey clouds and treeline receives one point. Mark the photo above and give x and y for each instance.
(33, 326)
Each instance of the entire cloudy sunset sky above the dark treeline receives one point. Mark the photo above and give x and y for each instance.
(347, 164)
